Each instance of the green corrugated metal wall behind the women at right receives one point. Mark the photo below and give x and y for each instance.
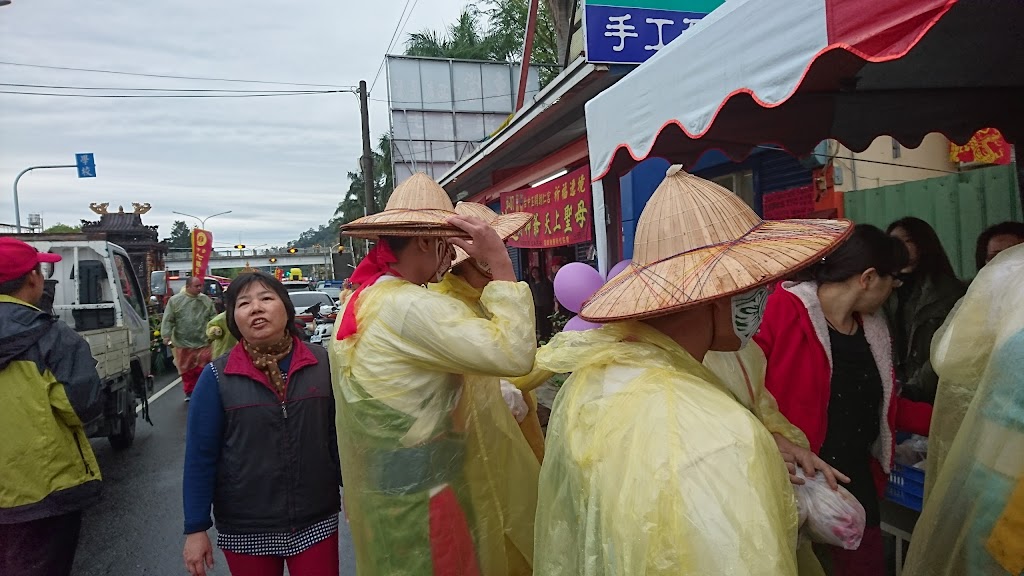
(958, 207)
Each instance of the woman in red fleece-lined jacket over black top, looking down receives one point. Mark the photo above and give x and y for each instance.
(831, 369)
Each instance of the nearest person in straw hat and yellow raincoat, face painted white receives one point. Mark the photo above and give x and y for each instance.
(652, 466)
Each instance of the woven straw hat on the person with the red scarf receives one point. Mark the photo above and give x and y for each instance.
(417, 208)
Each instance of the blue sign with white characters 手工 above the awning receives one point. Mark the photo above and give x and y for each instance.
(632, 31)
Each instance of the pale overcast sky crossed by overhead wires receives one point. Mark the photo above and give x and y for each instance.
(278, 163)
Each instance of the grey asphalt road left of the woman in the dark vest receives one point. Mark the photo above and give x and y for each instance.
(137, 529)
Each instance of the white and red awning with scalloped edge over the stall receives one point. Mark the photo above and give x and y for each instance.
(794, 73)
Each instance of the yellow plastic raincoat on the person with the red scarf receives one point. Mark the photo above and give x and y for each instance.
(423, 465)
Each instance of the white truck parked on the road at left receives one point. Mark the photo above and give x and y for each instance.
(95, 291)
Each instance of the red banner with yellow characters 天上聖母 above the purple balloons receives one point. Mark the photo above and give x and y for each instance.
(562, 210)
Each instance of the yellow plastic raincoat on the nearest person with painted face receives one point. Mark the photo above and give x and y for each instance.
(654, 468)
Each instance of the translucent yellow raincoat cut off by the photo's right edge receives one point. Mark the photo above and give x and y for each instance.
(973, 520)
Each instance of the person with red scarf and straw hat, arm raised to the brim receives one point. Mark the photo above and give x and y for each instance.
(399, 358)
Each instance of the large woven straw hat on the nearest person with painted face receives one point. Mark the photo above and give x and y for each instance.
(698, 242)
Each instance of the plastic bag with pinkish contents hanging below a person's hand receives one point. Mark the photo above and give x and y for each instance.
(831, 517)
